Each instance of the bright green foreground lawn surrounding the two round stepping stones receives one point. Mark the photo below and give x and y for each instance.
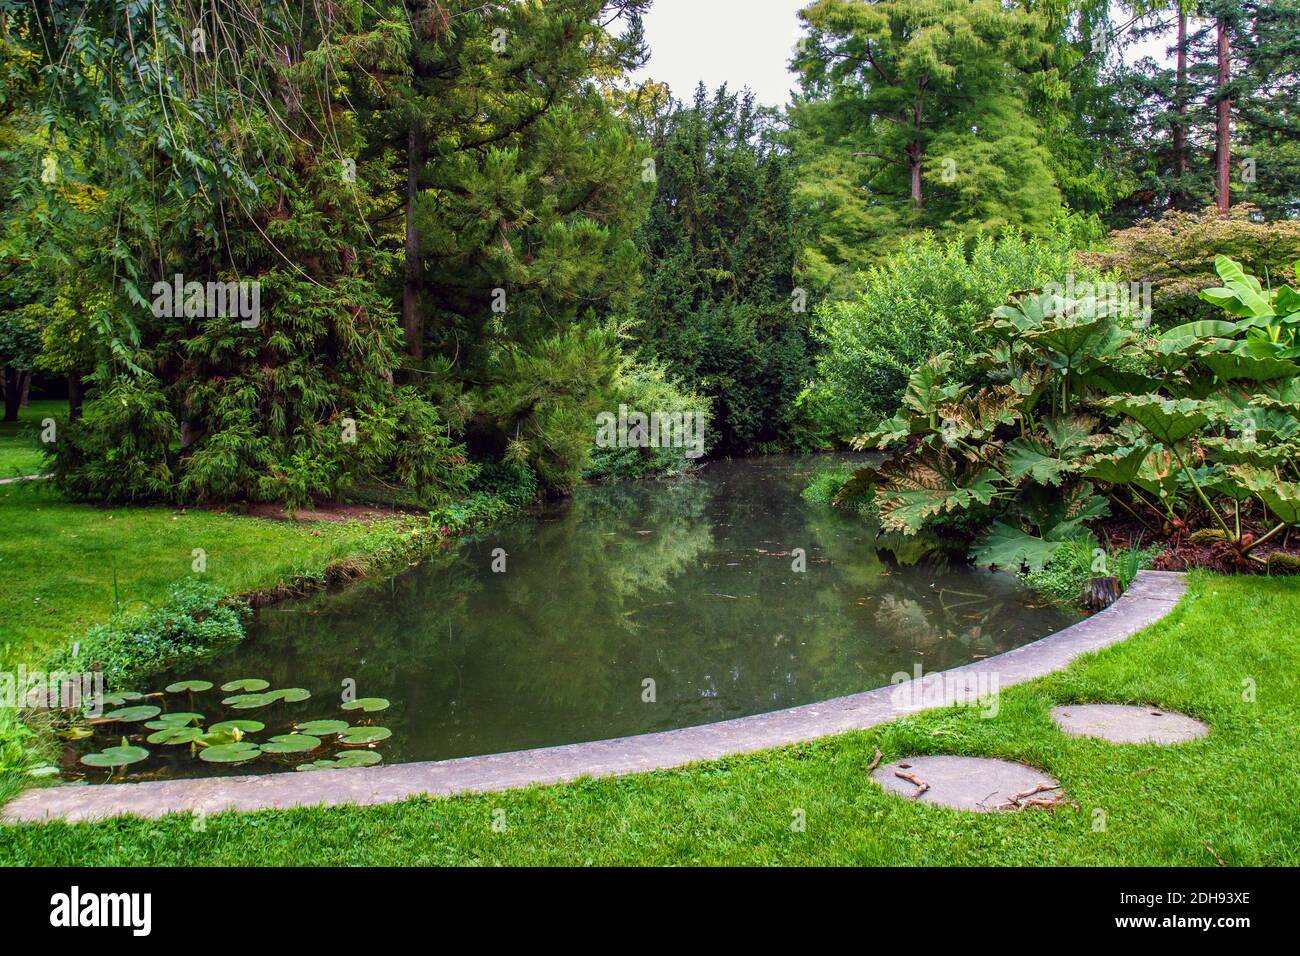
(1229, 656)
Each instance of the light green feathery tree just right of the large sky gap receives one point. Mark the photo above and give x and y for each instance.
(926, 107)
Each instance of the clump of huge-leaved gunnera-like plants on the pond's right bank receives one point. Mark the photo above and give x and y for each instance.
(1076, 413)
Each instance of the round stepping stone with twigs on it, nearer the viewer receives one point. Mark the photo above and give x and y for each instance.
(967, 784)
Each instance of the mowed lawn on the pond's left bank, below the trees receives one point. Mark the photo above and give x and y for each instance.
(66, 566)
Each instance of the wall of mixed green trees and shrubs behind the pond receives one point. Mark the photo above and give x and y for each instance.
(376, 252)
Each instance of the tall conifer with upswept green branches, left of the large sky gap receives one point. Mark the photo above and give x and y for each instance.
(523, 192)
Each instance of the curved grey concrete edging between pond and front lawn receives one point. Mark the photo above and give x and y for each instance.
(1151, 598)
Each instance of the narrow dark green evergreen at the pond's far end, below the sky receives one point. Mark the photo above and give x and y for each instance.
(721, 306)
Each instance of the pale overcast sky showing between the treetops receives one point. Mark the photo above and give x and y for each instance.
(742, 44)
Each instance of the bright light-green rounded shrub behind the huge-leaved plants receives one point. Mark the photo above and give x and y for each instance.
(929, 299)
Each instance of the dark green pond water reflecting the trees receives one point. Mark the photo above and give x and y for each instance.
(629, 609)
